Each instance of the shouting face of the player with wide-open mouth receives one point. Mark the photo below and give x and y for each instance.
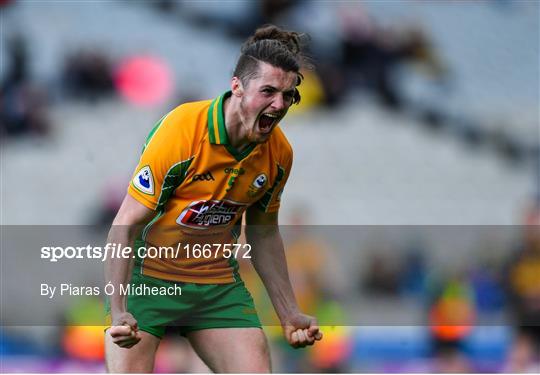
(265, 99)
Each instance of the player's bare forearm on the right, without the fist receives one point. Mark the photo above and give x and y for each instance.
(271, 265)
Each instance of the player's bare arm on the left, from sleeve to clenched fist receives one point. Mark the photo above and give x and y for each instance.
(129, 221)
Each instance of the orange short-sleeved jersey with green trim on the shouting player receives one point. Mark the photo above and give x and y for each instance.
(200, 186)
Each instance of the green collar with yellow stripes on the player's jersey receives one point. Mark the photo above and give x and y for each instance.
(217, 132)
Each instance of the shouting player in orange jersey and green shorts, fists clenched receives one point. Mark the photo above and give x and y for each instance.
(204, 166)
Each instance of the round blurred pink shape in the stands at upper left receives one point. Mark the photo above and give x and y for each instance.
(144, 80)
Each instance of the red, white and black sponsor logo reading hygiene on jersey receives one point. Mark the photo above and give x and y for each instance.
(209, 213)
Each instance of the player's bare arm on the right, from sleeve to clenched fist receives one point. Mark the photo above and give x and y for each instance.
(268, 258)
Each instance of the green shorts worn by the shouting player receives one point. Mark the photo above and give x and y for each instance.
(200, 306)
